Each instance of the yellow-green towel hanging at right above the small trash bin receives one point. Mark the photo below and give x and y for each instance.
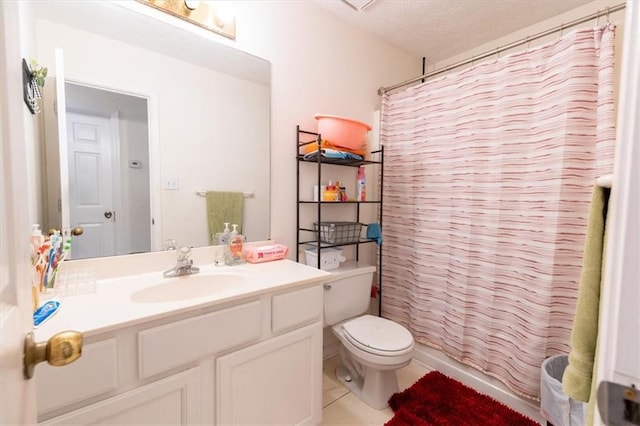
(577, 377)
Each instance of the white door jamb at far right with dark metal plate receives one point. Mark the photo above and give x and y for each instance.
(619, 345)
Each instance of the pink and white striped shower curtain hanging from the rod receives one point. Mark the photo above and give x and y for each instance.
(488, 180)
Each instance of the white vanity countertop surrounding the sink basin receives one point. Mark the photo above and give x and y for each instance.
(111, 306)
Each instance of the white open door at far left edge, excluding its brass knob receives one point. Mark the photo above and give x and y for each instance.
(17, 395)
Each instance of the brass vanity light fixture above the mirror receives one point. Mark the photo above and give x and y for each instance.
(203, 14)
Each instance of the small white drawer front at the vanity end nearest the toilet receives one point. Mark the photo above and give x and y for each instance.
(296, 308)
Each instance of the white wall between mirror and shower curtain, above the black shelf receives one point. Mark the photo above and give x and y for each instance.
(319, 65)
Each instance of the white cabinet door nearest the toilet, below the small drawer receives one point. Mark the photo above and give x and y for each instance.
(278, 381)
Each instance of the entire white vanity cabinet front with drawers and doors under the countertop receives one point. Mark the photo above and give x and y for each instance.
(257, 360)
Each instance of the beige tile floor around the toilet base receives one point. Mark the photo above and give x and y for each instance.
(340, 407)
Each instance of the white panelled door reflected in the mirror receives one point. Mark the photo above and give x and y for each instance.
(91, 197)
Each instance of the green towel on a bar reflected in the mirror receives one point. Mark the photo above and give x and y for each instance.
(223, 207)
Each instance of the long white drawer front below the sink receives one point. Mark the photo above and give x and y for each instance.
(178, 343)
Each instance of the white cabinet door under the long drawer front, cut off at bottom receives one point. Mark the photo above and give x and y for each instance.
(171, 401)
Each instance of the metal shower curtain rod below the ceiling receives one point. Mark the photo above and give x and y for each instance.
(607, 11)
